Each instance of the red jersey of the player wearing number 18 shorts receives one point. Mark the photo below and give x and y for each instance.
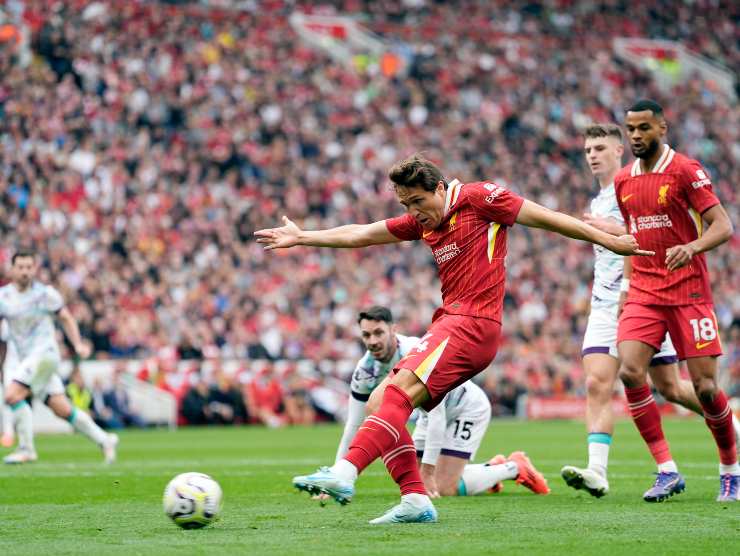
(663, 208)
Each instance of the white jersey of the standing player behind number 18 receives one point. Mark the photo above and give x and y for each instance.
(608, 266)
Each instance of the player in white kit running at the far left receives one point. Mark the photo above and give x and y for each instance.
(33, 358)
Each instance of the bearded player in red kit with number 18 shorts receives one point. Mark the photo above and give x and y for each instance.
(665, 198)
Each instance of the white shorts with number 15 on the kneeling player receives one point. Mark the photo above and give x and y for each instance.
(463, 433)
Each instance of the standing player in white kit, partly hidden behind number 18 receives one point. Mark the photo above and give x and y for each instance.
(603, 149)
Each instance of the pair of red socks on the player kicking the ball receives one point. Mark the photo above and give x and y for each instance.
(384, 433)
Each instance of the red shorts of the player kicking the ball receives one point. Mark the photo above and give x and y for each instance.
(454, 349)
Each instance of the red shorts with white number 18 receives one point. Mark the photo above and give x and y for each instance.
(693, 328)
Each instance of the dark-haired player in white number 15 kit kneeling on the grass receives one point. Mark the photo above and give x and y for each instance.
(446, 438)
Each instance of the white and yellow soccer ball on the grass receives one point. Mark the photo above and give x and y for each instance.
(192, 500)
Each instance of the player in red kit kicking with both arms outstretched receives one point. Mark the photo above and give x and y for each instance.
(465, 225)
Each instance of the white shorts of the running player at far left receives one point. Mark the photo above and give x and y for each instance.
(38, 371)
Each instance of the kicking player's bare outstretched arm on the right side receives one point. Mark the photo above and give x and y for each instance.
(536, 216)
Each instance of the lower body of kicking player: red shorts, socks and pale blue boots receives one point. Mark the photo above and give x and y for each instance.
(454, 349)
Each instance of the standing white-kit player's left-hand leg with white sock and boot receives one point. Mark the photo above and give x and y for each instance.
(601, 371)
